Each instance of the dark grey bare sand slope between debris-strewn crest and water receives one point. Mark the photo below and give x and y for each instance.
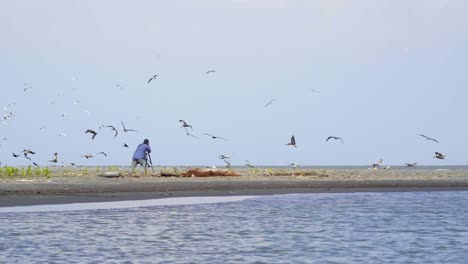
(77, 194)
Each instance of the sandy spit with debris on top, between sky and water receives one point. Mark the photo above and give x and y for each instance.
(86, 185)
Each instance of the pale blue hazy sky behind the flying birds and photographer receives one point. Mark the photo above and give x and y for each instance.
(386, 71)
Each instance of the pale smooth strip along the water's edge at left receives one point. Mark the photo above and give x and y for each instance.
(124, 204)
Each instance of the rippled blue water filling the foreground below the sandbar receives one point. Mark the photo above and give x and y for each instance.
(407, 227)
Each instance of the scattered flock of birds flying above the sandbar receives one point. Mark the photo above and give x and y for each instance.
(189, 131)
